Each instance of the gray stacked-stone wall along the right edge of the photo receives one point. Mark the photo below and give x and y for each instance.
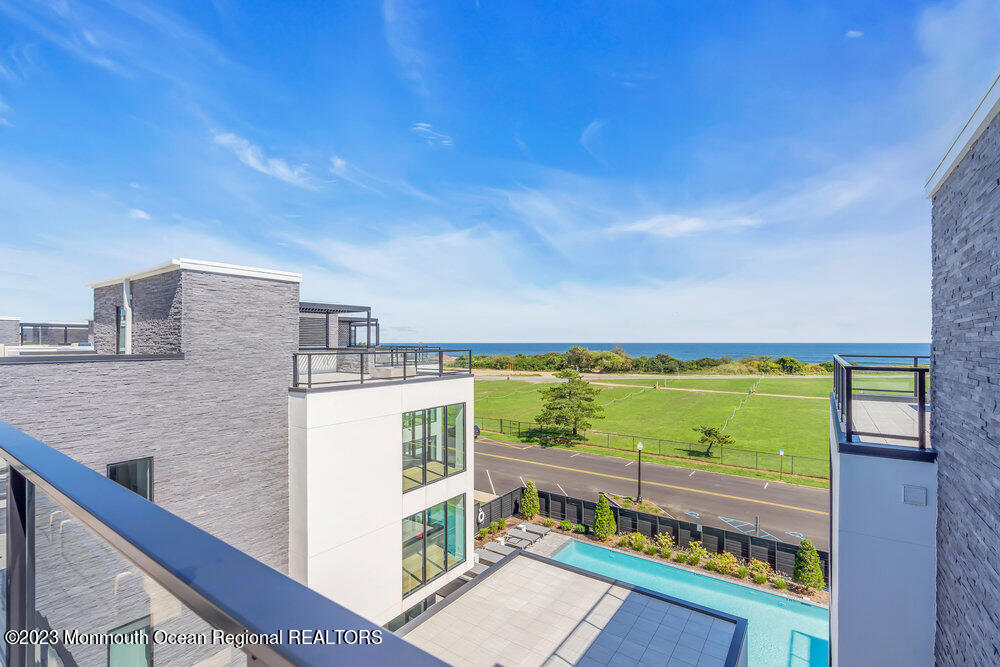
(965, 399)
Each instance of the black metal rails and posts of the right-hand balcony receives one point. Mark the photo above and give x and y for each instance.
(856, 377)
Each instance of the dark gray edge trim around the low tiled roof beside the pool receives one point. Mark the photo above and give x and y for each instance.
(735, 646)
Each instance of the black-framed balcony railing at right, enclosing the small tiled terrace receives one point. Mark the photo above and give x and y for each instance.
(882, 399)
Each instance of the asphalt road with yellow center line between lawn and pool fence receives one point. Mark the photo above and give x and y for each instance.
(787, 512)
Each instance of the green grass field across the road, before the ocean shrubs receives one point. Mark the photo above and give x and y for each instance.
(767, 424)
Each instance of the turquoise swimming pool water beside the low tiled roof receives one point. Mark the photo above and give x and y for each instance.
(780, 631)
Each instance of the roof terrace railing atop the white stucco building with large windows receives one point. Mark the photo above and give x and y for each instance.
(364, 366)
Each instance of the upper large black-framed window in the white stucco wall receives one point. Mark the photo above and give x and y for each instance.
(433, 444)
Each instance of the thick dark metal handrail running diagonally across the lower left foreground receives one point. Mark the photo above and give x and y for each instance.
(225, 587)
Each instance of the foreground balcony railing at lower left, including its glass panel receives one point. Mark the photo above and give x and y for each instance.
(86, 557)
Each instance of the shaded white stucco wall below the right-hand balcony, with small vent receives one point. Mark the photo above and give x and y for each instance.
(882, 604)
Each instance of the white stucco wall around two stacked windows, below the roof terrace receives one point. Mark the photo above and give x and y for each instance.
(346, 502)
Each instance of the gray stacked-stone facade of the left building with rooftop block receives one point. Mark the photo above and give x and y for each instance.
(215, 422)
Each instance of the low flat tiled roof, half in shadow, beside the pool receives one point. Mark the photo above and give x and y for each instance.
(528, 609)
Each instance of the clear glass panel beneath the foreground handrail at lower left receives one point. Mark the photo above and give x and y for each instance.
(83, 585)
